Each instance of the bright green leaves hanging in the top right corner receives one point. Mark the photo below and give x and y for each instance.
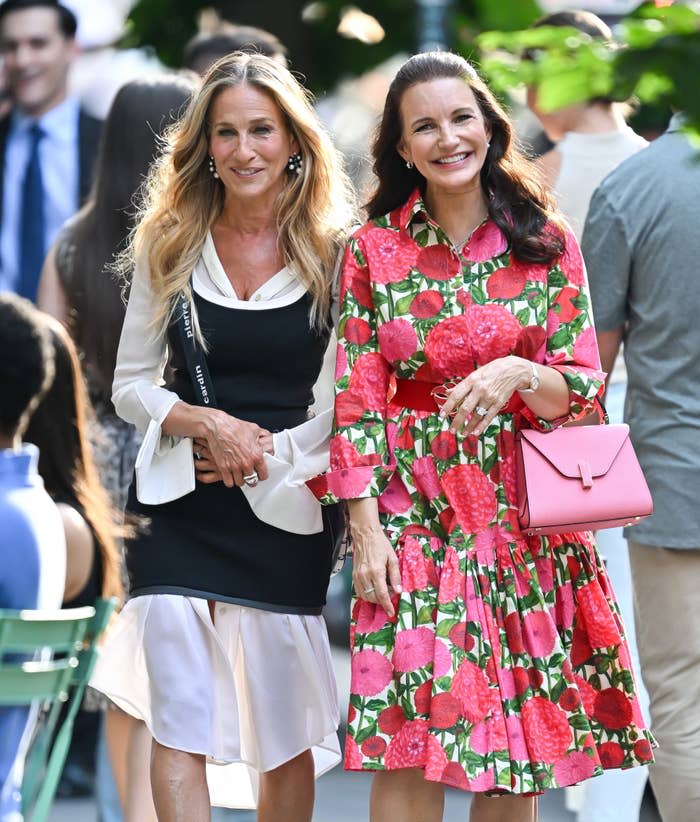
(657, 63)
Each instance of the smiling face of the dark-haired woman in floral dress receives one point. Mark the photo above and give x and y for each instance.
(444, 134)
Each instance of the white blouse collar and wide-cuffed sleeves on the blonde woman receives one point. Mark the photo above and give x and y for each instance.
(165, 465)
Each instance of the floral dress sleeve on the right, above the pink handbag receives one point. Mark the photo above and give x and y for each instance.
(571, 346)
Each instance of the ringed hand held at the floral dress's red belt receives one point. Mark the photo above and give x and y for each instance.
(487, 390)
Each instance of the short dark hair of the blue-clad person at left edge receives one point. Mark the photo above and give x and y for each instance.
(26, 364)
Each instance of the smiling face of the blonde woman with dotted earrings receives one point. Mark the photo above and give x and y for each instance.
(250, 143)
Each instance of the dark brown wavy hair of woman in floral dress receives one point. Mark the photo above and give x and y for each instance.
(518, 201)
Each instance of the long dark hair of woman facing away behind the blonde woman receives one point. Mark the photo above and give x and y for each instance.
(131, 138)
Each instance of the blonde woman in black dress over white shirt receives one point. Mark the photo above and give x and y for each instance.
(221, 648)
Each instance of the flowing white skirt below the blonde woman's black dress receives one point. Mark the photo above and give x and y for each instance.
(250, 691)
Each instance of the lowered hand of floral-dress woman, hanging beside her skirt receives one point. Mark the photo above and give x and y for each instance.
(374, 560)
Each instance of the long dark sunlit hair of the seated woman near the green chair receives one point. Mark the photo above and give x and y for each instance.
(59, 428)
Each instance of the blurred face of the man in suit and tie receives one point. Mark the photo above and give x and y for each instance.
(37, 56)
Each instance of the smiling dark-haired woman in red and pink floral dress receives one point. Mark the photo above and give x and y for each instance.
(477, 651)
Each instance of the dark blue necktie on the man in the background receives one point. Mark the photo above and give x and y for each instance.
(32, 221)
